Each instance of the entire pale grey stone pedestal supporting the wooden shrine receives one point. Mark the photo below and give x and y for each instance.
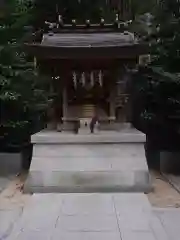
(103, 162)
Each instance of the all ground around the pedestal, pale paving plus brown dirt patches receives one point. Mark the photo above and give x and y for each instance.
(23, 215)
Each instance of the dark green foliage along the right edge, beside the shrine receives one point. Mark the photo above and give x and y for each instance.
(157, 90)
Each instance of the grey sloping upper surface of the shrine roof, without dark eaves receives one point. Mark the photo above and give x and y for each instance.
(87, 39)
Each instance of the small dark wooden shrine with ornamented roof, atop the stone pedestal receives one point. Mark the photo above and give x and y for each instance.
(88, 65)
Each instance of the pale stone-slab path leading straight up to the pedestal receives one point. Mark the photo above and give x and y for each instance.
(89, 217)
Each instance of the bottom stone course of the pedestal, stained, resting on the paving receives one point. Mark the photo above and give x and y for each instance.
(87, 182)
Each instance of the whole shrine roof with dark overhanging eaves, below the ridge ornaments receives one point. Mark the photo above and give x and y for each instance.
(94, 45)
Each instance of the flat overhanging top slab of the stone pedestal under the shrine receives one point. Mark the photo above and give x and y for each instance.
(124, 136)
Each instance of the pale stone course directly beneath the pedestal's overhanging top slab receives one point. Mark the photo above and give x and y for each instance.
(134, 150)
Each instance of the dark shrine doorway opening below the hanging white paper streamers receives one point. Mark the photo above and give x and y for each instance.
(86, 101)
